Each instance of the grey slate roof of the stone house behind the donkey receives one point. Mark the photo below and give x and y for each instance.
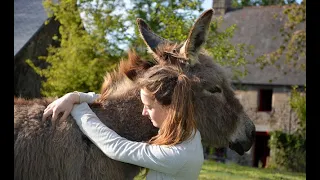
(257, 26)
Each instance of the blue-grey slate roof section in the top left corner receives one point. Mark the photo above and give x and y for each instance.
(29, 16)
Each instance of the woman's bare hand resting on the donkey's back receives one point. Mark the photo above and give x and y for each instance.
(62, 105)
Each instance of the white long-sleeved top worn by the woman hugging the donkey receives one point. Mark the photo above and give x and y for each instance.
(182, 161)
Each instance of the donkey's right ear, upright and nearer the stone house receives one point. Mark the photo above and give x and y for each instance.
(197, 37)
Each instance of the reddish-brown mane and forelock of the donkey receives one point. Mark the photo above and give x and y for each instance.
(120, 80)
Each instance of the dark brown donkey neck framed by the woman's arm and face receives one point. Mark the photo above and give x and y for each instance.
(123, 115)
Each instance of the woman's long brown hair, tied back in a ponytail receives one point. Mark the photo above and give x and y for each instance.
(171, 88)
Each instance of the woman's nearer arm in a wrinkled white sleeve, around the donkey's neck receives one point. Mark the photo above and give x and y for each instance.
(157, 157)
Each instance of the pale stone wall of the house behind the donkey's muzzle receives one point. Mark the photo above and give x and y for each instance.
(280, 118)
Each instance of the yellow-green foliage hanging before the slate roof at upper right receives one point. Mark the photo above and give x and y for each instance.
(293, 45)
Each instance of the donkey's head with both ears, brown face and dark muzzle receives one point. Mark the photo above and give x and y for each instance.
(220, 116)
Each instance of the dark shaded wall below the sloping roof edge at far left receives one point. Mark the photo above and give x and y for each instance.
(27, 83)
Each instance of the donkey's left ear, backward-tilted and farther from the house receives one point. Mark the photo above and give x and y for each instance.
(151, 39)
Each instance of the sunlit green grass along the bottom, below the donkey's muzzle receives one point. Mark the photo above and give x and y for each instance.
(218, 171)
